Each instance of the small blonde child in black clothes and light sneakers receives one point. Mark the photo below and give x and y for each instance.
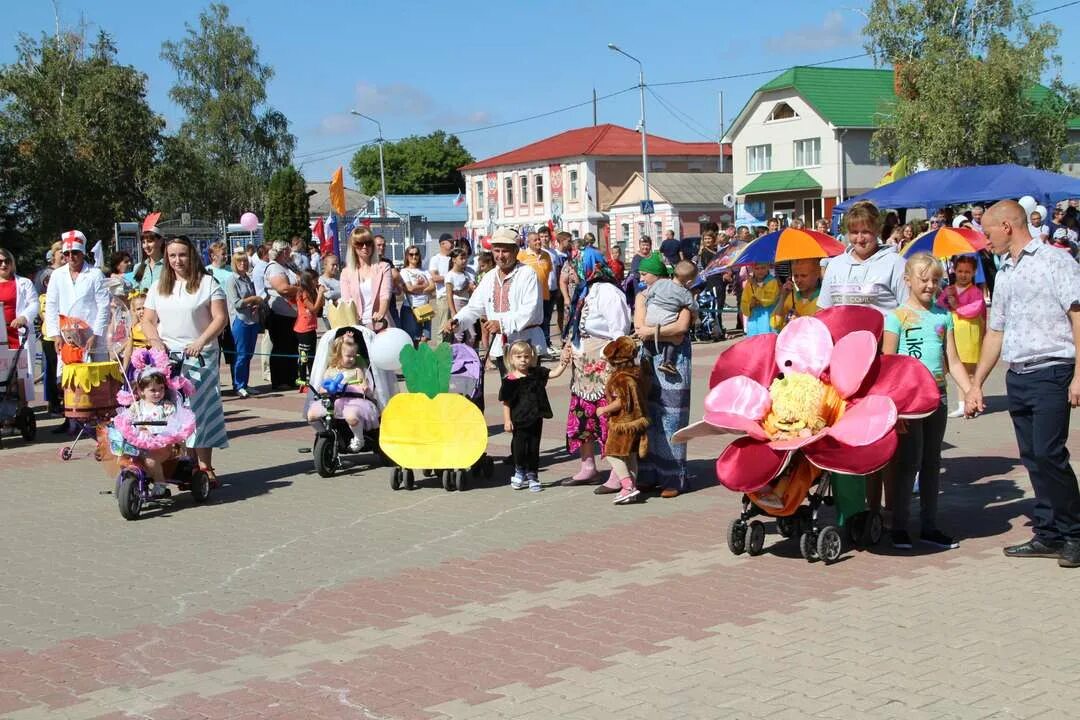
(524, 397)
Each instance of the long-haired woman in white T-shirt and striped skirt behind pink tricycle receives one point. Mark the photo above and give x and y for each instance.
(185, 314)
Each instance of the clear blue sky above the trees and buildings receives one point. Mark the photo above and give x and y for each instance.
(420, 66)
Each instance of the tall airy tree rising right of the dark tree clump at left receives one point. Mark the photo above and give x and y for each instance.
(231, 139)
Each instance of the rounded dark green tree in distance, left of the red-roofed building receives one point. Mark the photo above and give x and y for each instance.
(415, 166)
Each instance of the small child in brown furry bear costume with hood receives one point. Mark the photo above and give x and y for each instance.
(626, 393)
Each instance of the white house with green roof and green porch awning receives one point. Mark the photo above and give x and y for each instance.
(803, 141)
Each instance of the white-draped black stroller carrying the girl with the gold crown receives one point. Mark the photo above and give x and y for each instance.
(332, 449)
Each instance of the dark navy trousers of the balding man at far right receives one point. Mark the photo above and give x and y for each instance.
(1039, 407)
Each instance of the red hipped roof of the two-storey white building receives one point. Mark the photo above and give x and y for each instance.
(605, 140)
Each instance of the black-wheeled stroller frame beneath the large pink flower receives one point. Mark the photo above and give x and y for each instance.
(803, 483)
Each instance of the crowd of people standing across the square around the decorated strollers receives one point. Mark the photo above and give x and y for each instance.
(620, 329)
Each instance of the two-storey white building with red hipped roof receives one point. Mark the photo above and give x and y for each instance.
(572, 179)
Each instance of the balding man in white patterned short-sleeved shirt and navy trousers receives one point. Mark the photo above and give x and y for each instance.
(1035, 328)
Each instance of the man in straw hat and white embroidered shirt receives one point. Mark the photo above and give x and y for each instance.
(509, 298)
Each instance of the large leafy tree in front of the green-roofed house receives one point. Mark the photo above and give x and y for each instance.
(968, 85)
